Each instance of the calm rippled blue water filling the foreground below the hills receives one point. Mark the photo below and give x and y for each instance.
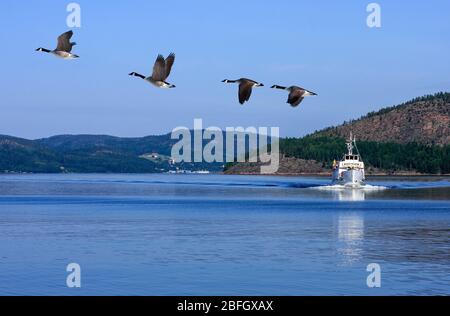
(222, 235)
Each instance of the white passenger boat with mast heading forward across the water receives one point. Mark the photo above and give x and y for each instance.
(349, 171)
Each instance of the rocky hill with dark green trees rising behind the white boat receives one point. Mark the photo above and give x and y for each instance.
(410, 138)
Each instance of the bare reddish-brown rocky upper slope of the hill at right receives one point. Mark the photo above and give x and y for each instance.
(424, 120)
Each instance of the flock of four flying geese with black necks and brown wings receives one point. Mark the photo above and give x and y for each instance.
(163, 66)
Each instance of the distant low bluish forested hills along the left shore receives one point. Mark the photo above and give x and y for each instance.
(92, 154)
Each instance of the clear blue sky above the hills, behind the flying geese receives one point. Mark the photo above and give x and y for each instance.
(324, 46)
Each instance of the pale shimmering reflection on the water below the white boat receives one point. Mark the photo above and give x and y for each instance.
(350, 230)
